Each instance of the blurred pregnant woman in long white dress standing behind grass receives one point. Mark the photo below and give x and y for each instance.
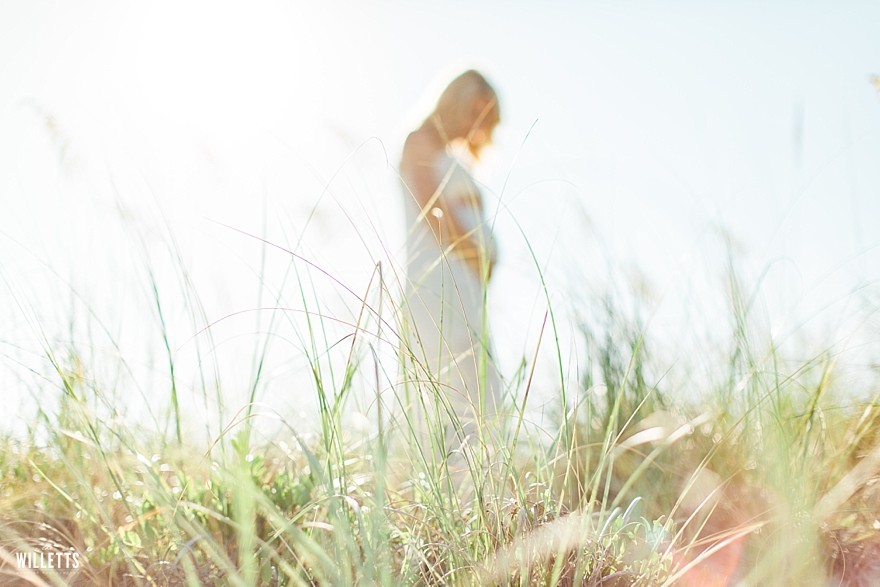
(450, 256)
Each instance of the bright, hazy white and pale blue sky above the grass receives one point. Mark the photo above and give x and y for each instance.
(654, 127)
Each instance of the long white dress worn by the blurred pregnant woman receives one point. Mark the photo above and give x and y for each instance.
(451, 352)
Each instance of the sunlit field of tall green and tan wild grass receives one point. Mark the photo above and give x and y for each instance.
(769, 477)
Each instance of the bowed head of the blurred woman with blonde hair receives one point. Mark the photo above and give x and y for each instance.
(467, 109)
